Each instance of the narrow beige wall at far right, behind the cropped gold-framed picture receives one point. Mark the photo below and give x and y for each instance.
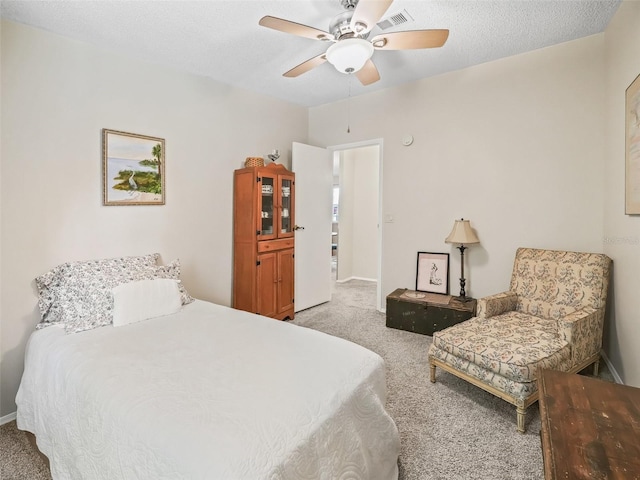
(621, 232)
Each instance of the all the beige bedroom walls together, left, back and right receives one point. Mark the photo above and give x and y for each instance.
(520, 146)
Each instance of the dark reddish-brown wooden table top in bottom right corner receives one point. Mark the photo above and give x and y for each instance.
(590, 428)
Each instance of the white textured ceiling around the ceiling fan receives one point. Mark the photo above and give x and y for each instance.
(221, 39)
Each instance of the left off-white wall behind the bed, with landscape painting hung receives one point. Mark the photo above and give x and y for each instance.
(57, 95)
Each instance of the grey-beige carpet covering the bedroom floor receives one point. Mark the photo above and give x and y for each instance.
(448, 430)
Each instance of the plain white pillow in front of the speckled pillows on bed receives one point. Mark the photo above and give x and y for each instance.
(144, 299)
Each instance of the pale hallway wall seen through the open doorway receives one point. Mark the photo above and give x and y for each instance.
(358, 247)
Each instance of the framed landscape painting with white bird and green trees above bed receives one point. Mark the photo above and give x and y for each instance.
(133, 169)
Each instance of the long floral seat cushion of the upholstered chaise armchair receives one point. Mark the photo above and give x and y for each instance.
(512, 345)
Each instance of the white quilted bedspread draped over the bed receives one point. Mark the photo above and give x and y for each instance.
(207, 393)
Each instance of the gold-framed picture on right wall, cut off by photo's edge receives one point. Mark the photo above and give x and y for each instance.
(632, 148)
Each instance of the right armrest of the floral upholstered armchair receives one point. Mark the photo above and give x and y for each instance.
(582, 330)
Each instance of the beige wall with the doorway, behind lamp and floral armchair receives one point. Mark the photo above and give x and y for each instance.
(514, 145)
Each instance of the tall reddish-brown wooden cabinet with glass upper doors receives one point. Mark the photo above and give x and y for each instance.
(263, 244)
